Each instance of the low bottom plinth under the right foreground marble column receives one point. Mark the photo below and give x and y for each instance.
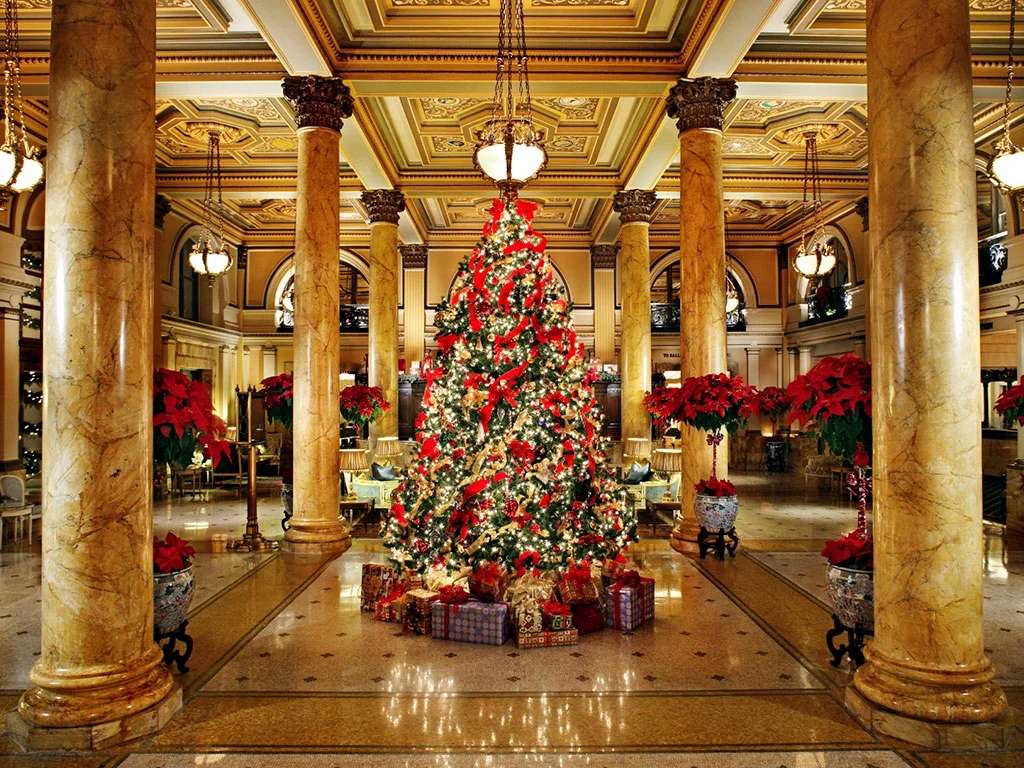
(882, 722)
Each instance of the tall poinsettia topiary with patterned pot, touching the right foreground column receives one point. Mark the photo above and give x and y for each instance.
(834, 399)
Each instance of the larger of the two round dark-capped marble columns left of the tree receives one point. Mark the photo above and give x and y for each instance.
(321, 105)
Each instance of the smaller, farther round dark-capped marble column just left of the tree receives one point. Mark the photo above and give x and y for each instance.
(385, 207)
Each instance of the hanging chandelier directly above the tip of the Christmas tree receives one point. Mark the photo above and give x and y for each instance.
(509, 150)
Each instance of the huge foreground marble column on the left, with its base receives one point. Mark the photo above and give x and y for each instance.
(100, 678)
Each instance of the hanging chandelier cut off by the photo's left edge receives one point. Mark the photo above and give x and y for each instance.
(20, 168)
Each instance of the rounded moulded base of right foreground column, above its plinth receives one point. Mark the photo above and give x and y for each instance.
(956, 697)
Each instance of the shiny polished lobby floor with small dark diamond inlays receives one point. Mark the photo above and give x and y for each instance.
(734, 672)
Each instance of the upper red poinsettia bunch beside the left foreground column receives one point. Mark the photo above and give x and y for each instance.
(183, 415)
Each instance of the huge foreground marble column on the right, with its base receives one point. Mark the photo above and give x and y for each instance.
(926, 665)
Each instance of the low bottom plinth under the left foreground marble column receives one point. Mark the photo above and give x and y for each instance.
(97, 737)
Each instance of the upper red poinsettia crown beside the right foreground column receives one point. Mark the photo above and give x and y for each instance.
(835, 397)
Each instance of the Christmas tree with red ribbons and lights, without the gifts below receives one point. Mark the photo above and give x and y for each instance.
(511, 467)
